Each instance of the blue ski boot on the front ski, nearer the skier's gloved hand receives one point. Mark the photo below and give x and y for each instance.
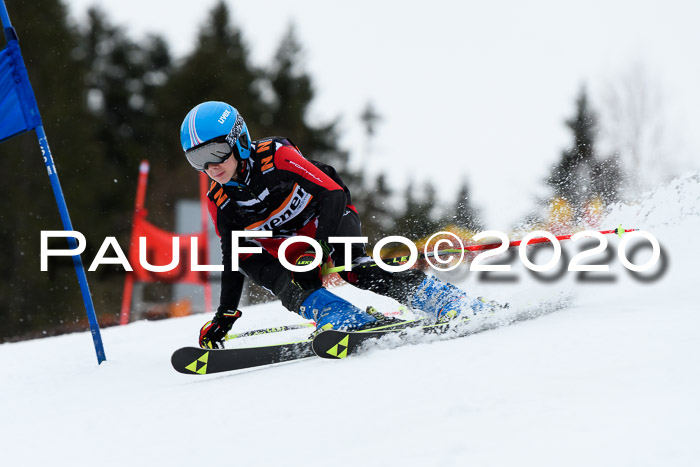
(332, 312)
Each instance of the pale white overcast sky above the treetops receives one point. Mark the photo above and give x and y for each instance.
(475, 91)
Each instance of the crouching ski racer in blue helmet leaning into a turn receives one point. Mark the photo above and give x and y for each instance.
(267, 185)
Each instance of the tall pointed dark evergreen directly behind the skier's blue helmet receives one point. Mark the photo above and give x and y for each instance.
(217, 69)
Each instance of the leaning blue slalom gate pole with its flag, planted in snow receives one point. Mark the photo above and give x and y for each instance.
(19, 89)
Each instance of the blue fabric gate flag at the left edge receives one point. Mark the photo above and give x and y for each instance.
(18, 109)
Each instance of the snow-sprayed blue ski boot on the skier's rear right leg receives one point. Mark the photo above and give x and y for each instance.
(445, 301)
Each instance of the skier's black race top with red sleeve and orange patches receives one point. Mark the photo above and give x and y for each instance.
(279, 190)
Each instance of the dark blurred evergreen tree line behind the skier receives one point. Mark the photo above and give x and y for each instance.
(107, 102)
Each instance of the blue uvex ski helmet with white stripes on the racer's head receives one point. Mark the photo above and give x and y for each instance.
(214, 122)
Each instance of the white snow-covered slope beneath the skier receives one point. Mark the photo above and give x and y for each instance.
(612, 379)
